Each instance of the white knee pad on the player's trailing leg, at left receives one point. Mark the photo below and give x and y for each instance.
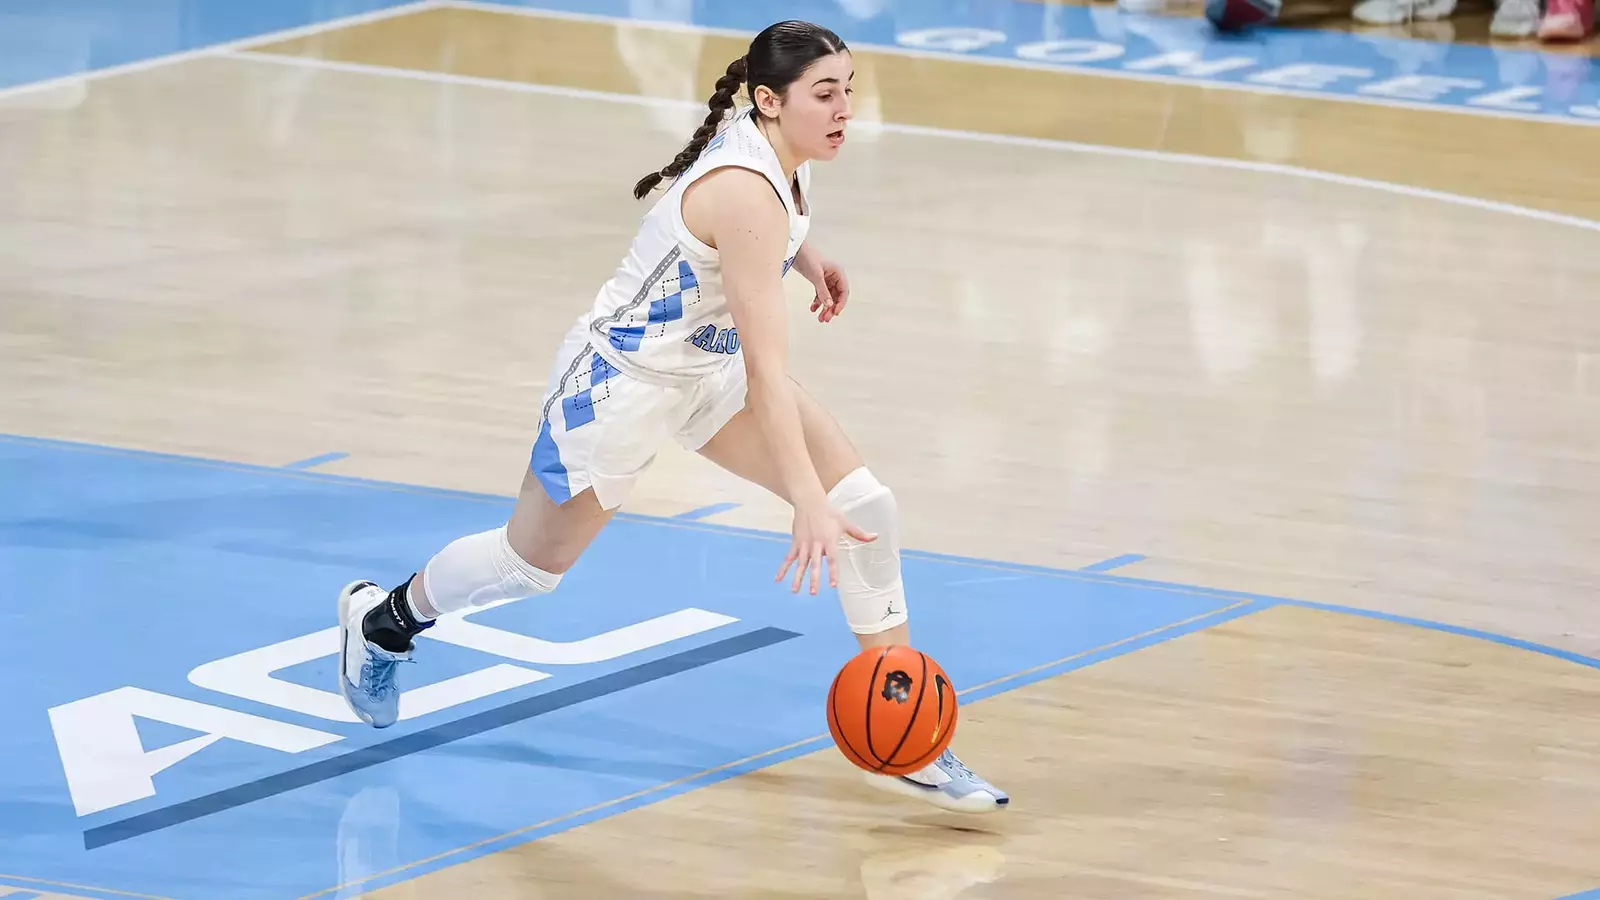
(482, 569)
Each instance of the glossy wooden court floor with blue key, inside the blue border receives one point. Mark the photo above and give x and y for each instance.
(1249, 444)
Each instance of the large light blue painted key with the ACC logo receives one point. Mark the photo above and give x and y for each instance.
(170, 659)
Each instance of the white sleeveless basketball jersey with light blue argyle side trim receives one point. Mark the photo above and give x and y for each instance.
(663, 315)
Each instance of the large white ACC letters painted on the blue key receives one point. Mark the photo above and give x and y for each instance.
(108, 766)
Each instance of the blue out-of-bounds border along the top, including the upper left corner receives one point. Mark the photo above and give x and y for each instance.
(46, 41)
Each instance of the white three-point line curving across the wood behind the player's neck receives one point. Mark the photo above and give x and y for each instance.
(924, 132)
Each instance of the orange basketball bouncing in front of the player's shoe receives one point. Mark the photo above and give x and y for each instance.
(892, 710)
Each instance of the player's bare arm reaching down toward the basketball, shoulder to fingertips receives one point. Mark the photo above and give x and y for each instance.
(745, 220)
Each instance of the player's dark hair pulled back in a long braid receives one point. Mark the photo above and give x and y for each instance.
(777, 58)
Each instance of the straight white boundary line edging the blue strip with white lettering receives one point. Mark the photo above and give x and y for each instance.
(1054, 68)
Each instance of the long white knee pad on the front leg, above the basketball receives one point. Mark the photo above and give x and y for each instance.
(870, 581)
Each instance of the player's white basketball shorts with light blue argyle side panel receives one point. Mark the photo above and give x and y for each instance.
(601, 428)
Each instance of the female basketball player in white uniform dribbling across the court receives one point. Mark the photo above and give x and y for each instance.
(687, 342)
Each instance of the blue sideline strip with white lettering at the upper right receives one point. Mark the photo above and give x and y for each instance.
(1178, 49)
